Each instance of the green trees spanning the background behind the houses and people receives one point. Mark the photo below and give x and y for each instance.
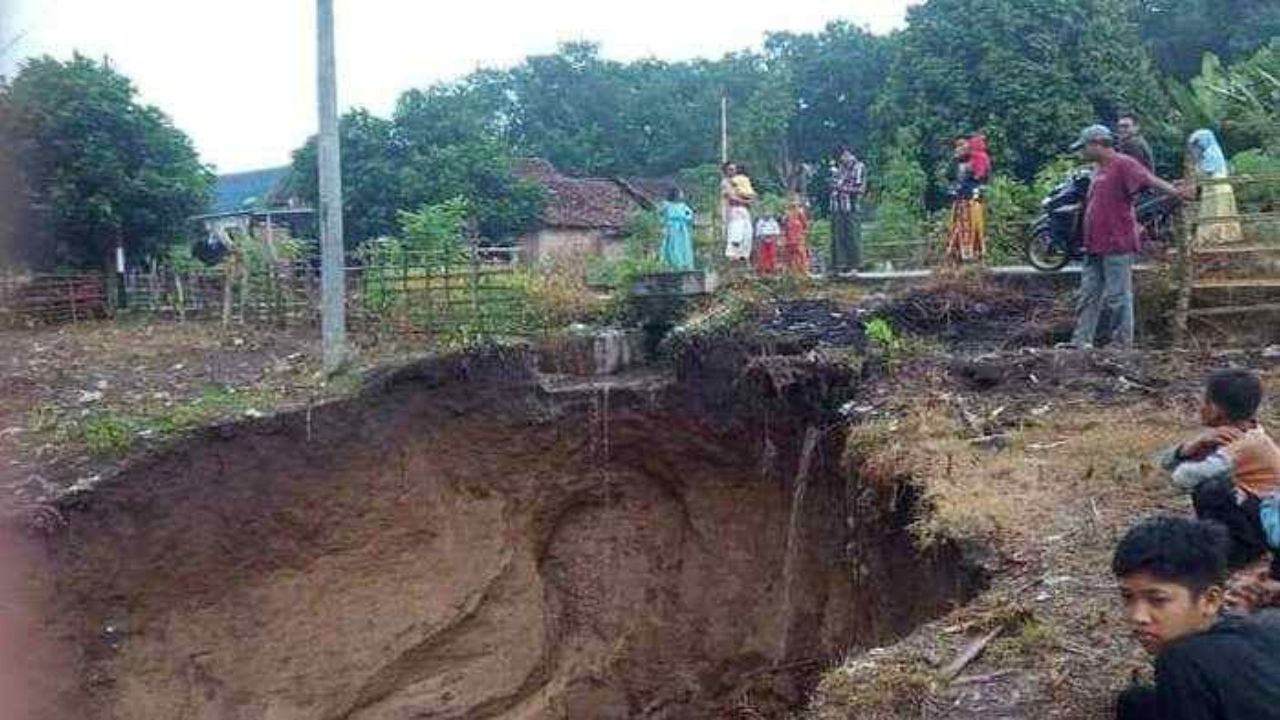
(1028, 74)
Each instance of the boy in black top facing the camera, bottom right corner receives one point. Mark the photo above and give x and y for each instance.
(1209, 667)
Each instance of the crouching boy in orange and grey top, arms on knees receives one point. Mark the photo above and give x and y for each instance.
(1231, 467)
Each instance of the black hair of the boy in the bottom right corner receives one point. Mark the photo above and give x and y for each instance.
(1177, 550)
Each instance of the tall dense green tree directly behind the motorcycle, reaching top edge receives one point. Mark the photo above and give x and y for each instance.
(1028, 72)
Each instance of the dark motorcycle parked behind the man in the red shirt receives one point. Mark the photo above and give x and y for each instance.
(1058, 234)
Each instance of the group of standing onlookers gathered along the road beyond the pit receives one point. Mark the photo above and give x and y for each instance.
(1123, 170)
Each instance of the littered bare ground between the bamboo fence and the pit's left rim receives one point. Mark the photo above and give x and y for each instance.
(140, 379)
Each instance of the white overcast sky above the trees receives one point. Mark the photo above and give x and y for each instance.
(239, 75)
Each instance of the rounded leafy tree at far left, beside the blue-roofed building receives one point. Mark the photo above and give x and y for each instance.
(100, 167)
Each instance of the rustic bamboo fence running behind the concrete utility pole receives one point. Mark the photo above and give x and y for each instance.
(476, 291)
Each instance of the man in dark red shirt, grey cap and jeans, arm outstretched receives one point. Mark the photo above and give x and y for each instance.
(1112, 236)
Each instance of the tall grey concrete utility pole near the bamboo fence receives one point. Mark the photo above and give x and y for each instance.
(333, 320)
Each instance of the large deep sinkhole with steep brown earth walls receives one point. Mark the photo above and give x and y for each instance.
(461, 541)
